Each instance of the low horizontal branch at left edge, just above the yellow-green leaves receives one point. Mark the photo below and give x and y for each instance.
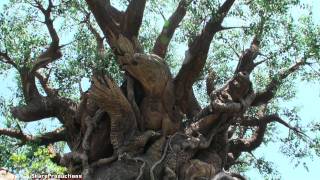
(43, 139)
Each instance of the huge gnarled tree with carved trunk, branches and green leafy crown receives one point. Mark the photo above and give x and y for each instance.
(141, 117)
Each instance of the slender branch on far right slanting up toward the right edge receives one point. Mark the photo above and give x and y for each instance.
(266, 95)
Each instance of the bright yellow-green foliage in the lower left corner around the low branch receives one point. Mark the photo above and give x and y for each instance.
(28, 159)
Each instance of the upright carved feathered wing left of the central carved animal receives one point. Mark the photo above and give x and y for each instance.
(111, 99)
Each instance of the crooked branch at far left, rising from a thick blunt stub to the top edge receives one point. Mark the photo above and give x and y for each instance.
(37, 106)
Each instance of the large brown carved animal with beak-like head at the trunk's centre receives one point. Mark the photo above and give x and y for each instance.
(155, 77)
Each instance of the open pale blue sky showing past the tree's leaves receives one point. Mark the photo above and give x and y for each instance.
(307, 99)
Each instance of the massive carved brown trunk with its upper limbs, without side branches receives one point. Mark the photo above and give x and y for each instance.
(146, 133)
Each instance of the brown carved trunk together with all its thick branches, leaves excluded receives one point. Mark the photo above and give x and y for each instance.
(123, 133)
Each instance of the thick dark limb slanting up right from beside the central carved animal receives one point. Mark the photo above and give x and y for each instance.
(196, 55)
